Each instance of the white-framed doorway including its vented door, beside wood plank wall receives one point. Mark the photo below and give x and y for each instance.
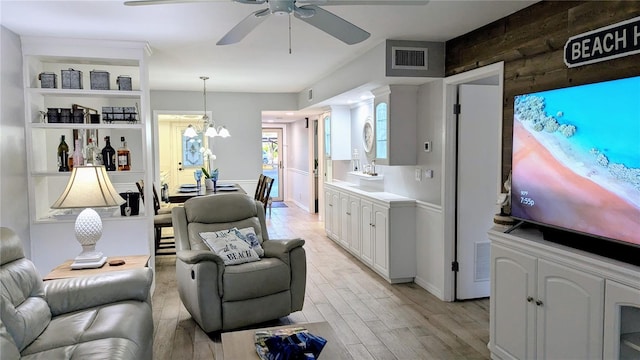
(467, 215)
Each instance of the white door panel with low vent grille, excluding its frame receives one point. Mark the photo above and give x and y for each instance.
(478, 181)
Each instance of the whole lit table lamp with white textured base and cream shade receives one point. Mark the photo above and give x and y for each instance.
(89, 187)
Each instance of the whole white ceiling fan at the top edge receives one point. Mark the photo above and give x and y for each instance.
(309, 12)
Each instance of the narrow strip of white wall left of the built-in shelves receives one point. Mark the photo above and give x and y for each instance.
(14, 212)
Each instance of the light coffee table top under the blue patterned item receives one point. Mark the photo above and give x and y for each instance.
(239, 345)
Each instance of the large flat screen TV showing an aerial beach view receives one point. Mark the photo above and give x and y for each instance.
(576, 166)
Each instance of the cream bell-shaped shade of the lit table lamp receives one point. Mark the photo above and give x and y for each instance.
(88, 186)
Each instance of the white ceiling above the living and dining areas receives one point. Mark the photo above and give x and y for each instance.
(183, 36)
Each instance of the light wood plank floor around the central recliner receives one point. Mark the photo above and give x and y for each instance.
(374, 319)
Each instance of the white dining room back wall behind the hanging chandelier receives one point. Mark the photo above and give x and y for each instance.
(239, 157)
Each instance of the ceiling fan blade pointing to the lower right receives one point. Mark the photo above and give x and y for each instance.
(334, 25)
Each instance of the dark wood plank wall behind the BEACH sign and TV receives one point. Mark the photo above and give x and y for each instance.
(531, 44)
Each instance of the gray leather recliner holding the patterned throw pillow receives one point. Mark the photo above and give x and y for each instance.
(224, 297)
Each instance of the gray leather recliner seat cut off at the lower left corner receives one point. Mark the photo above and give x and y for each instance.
(105, 316)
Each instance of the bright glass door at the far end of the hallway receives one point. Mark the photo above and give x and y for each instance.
(272, 155)
